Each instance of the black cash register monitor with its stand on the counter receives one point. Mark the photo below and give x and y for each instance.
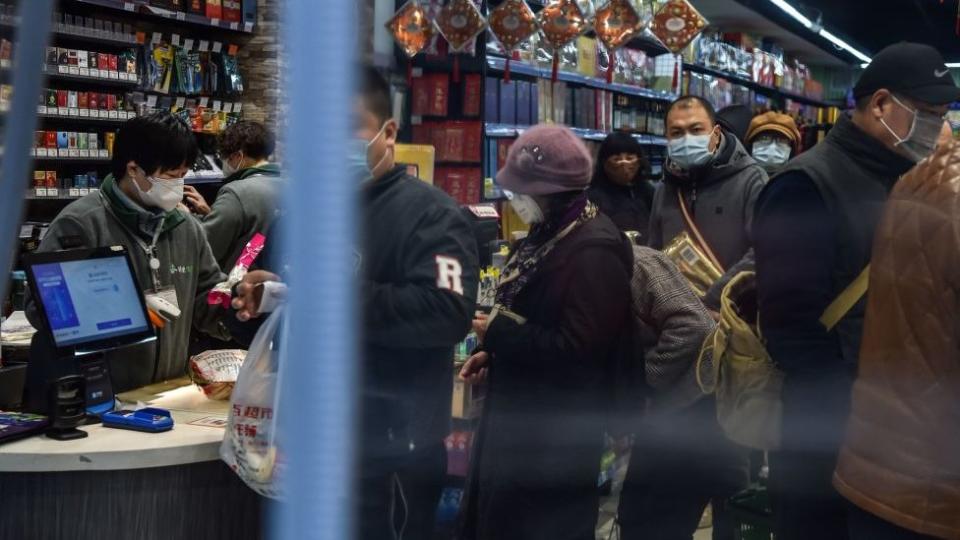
(90, 304)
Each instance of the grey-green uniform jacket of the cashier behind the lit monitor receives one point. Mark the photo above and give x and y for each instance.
(110, 218)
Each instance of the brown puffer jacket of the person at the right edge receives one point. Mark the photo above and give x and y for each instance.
(901, 457)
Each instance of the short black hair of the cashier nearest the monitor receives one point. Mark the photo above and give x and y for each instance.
(158, 141)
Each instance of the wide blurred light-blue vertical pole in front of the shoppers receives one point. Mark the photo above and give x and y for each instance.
(319, 356)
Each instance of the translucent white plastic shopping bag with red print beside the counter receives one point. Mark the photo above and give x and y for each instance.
(250, 445)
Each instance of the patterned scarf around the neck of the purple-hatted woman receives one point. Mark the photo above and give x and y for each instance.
(543, 237)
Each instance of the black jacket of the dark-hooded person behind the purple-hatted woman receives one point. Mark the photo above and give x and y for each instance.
(628, 206)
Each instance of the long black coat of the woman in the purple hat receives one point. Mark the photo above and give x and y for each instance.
(535, 465)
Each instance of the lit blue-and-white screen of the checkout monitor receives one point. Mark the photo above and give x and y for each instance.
(90, 300)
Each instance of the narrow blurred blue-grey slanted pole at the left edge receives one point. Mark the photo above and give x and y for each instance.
(16, 164)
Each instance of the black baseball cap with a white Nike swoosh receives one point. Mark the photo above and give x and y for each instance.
(914, 70)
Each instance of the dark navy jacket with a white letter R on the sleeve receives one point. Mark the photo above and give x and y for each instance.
(419, 277)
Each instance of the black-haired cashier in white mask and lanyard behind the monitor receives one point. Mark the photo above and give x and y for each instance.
(137, 207)
